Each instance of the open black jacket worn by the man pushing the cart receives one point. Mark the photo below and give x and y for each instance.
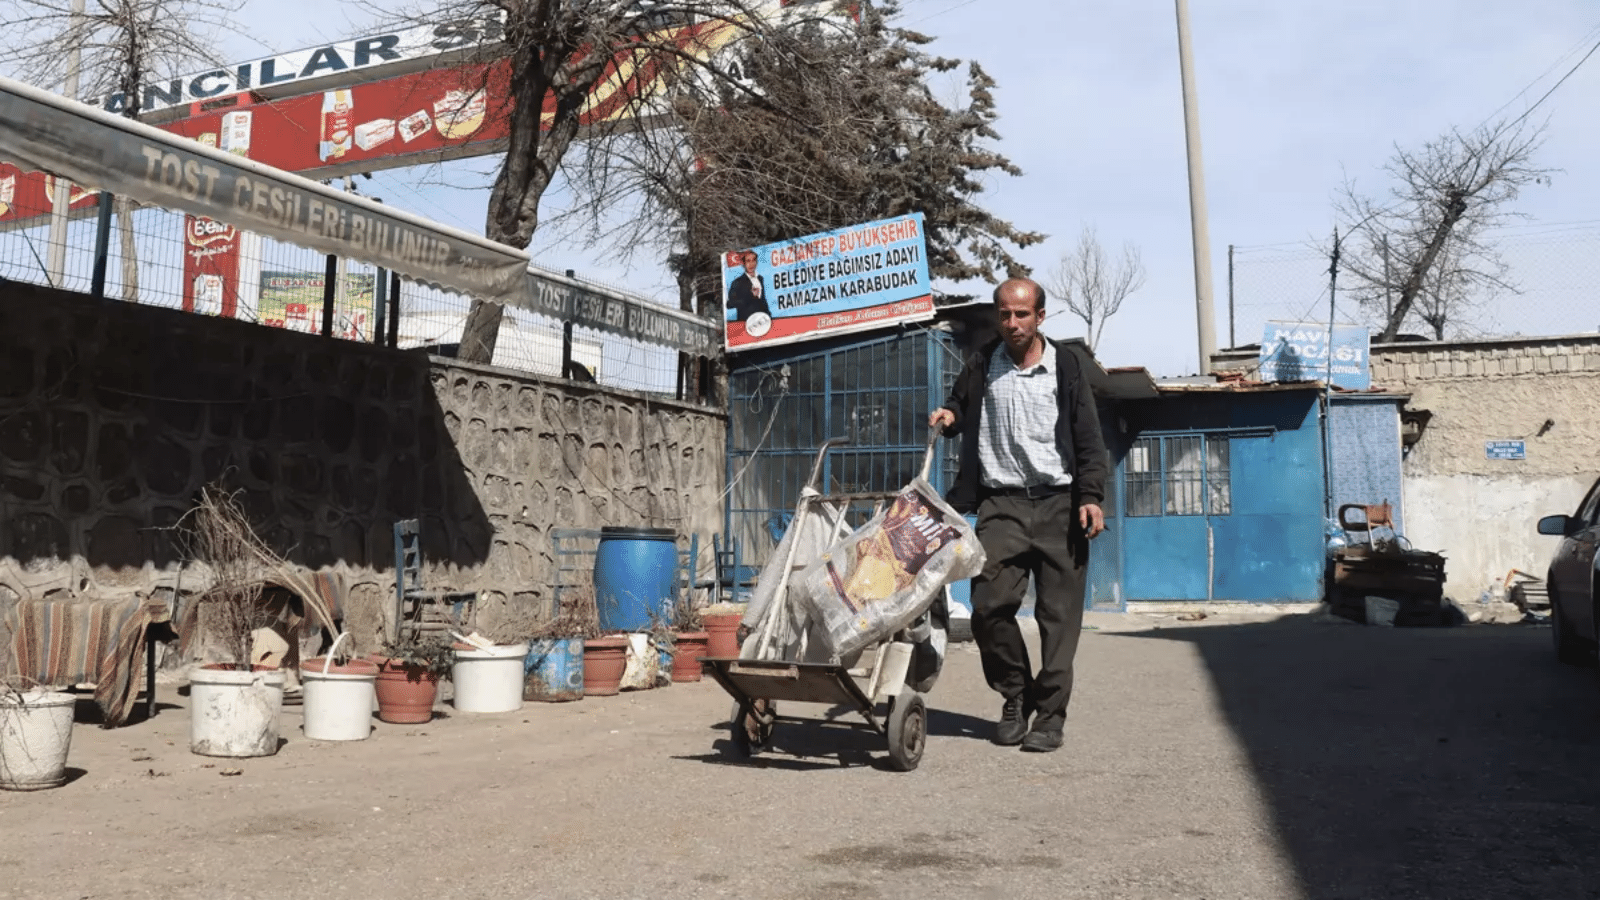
(1078, 428)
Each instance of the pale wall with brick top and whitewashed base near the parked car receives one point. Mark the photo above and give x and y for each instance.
(1481, 512)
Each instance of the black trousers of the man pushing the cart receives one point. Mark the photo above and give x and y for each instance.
(1042, 539)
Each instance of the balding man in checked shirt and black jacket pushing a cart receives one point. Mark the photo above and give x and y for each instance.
(1034, 468)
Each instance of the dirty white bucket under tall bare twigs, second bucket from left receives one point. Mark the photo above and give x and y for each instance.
(234, 713)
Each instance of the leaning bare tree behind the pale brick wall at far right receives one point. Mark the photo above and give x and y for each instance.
(1423, 249)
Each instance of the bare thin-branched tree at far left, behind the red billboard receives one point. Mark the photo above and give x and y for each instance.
(121, 47)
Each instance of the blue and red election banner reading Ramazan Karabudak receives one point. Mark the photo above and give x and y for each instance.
(828, 284)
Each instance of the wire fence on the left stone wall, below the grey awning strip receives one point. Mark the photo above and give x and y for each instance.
(154, 257)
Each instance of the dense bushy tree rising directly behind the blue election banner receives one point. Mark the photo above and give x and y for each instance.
(839, 127)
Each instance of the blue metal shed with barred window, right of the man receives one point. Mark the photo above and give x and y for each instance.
(1222, 496)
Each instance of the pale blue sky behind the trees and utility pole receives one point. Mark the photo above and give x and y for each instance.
(1294, 97)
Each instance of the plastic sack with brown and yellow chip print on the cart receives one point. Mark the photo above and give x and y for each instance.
(890, 571)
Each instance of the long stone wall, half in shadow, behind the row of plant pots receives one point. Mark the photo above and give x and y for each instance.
(113, 417)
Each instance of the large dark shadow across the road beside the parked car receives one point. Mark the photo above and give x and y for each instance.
(1417, 763)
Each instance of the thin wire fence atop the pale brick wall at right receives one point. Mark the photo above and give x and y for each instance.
(1556, 273)
